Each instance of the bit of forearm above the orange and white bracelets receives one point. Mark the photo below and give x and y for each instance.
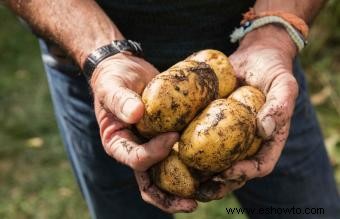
(305, 9)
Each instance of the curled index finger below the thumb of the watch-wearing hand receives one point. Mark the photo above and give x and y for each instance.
(120, 143)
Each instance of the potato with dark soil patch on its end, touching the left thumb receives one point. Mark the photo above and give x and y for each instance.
(173, 98)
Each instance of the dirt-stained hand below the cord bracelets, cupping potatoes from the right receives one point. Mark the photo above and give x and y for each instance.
(264, 60)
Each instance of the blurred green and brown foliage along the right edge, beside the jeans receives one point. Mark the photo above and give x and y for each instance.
(321, 59)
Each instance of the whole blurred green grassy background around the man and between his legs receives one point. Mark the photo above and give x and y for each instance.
(35, 176)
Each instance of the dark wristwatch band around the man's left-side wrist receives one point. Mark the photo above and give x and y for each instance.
(116, 46)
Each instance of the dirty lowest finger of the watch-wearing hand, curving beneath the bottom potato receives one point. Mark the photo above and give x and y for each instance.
(168, 203)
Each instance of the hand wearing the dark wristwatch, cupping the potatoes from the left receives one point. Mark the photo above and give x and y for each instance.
(117, 84)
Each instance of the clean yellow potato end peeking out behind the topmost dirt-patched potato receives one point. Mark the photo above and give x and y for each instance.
(222, 68)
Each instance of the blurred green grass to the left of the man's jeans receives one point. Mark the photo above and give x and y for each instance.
(35, 176)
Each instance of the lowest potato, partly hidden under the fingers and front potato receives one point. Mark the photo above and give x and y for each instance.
(173, 176)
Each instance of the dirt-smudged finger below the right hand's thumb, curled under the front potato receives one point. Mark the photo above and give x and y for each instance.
(262, 163)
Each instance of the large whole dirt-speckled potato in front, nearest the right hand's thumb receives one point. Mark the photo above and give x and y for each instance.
(218, 136)
